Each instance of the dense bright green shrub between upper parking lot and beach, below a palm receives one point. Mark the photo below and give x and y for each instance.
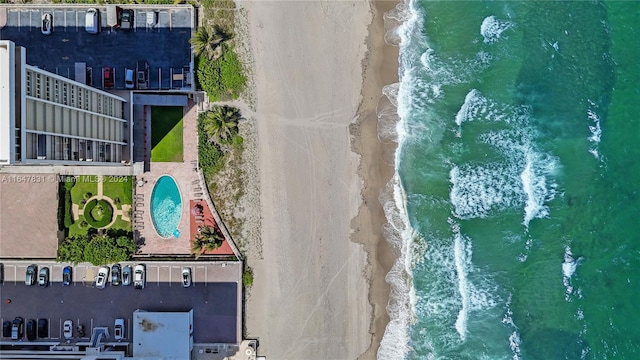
(222, 78)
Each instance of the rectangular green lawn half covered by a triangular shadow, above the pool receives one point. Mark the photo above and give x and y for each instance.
(166, 134)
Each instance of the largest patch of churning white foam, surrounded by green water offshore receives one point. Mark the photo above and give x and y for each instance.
(525, 176)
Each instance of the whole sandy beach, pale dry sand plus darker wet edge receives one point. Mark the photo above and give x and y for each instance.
(319, 289)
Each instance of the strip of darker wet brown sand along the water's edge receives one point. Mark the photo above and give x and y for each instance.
(381, 68)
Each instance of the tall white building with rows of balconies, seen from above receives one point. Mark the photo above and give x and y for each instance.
(47, 119)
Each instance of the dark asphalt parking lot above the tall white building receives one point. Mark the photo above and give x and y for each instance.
(164, 44)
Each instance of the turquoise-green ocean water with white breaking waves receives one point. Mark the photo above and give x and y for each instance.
(516, 204)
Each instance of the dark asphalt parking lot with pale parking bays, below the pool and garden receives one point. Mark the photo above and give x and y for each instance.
(213, 296)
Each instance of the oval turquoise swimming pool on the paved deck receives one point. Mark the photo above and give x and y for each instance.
(166, 207)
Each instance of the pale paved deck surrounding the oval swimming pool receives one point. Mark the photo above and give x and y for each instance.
(192, 188)
